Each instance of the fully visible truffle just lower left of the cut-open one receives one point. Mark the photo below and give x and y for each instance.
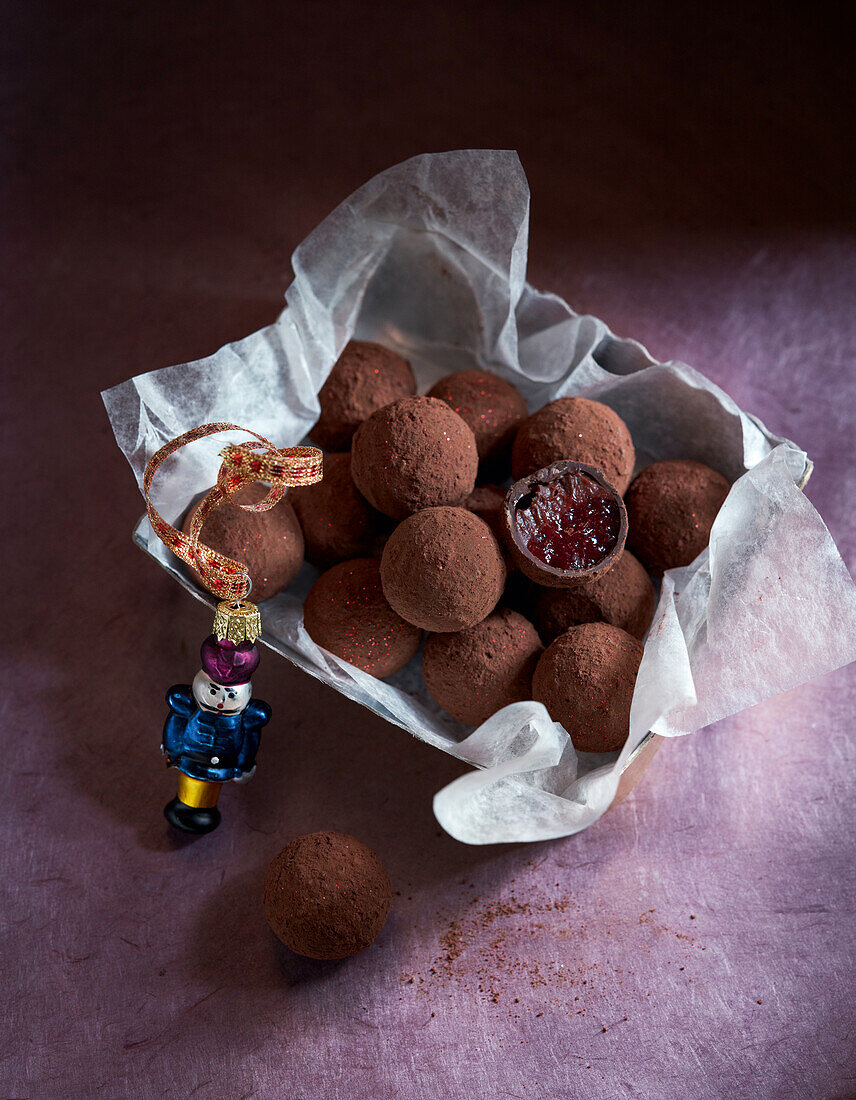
(443, 569)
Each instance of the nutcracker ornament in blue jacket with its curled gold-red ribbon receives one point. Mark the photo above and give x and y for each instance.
(214, 728)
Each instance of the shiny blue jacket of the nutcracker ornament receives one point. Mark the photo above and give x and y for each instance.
(212, 746)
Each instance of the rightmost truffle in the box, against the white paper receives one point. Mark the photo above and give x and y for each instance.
(672, 508)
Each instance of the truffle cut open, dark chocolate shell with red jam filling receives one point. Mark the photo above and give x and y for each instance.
(565, 524)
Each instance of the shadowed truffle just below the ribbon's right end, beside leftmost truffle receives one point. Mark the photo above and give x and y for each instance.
(338, 523)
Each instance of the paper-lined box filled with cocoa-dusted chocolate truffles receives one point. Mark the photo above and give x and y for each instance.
(534, 547)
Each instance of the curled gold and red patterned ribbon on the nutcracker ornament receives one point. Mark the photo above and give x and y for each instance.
(244, 465)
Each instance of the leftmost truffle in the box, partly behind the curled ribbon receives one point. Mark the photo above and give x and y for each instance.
(270, 544)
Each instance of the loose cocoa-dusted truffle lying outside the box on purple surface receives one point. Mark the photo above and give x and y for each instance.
(327, 896)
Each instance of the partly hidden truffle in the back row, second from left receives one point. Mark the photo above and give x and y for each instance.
(490, 405)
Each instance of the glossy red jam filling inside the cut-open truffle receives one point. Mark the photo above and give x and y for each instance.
(570, 524)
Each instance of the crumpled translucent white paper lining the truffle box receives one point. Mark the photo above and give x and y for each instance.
(430, 259)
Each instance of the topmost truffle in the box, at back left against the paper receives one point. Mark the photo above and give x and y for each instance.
(366, 378)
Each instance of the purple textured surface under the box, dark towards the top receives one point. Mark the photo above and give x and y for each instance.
(693, 188)
